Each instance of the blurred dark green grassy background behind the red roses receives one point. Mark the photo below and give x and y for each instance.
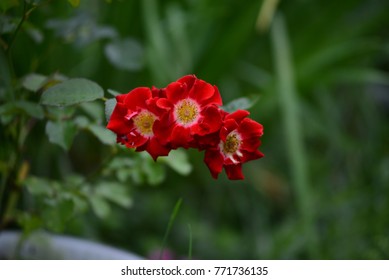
(320, 72)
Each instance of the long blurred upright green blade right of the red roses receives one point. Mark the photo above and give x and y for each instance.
(295, 144)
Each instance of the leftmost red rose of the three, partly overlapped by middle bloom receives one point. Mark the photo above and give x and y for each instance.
(133, 119)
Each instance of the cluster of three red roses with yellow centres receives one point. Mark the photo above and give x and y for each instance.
(188, 114)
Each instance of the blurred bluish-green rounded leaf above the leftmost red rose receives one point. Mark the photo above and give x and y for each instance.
(126, 54)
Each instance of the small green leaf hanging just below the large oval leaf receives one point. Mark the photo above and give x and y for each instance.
(61, 133)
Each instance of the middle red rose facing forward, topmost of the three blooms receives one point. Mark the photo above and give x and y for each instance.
(193, 112)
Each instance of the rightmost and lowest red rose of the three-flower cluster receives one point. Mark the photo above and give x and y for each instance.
(239, 143)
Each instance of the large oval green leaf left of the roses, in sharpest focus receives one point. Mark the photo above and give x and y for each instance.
(71, 92)
